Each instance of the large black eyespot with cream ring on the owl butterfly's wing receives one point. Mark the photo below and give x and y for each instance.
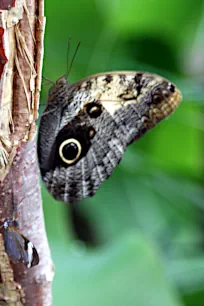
(70, 150)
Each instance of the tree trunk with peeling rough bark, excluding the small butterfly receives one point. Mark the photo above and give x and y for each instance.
(21, 52)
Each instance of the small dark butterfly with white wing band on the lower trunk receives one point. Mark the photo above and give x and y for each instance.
(18, 247)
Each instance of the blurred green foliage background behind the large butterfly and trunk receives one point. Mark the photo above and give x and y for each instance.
(140, 239)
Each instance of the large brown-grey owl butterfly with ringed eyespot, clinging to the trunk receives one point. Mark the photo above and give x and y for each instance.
(88, 125)
